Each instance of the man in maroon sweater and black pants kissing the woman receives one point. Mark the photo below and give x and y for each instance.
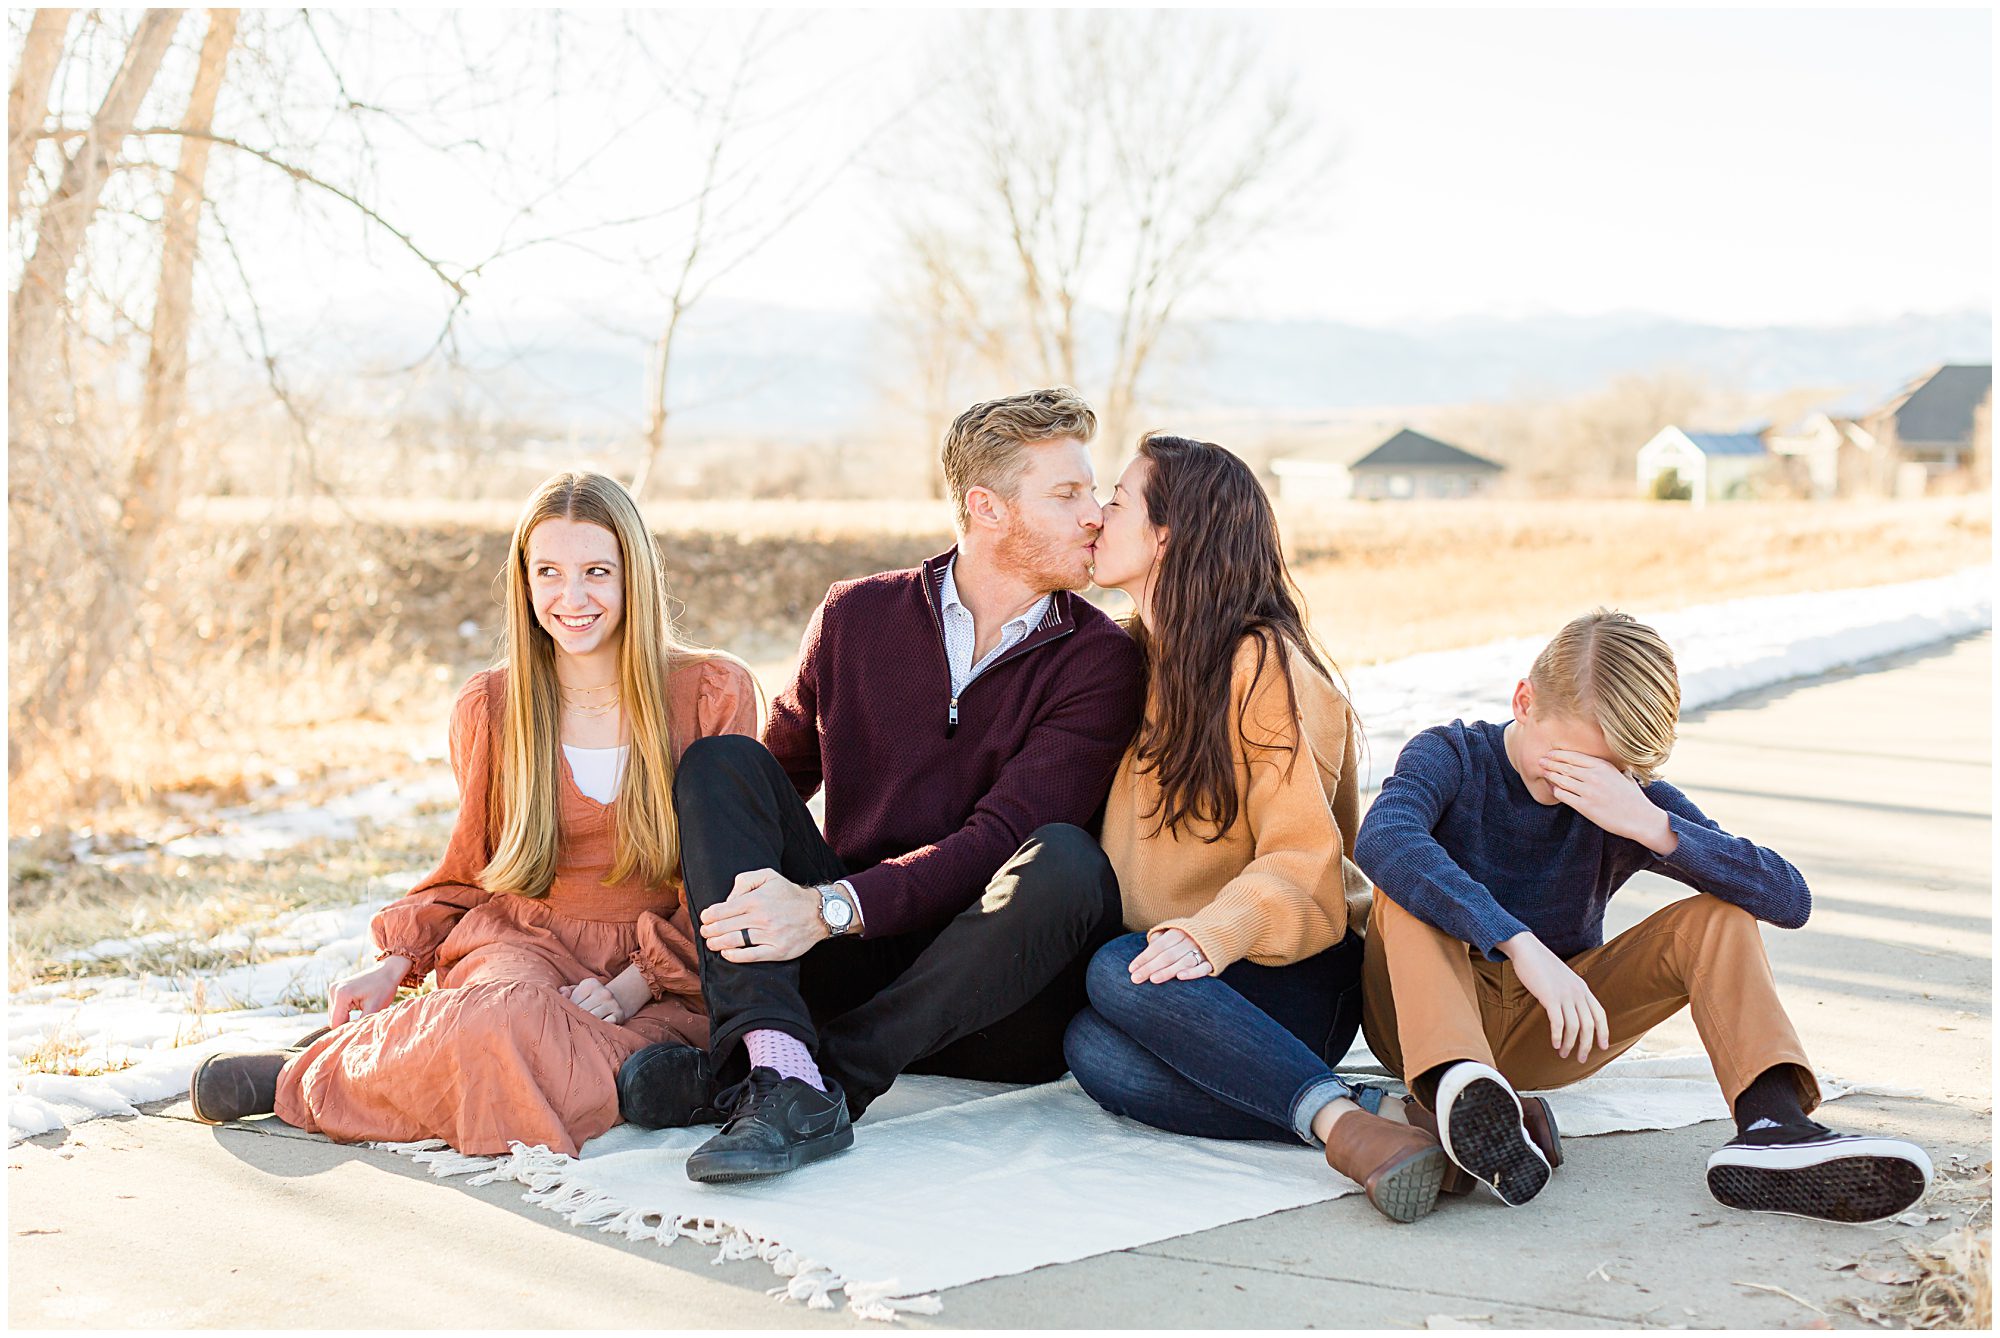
(965, 721)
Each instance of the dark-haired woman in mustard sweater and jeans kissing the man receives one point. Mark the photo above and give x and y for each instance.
(1239, 989)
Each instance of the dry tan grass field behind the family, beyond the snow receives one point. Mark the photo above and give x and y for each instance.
(367, 679)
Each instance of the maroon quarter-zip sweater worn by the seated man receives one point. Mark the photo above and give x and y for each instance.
(925, 811)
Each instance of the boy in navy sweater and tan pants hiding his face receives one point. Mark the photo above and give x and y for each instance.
(1495, 851)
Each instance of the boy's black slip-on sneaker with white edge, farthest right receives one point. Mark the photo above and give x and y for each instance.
(1813, 1173)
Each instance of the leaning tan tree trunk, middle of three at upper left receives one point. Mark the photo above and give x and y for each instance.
(67, 217)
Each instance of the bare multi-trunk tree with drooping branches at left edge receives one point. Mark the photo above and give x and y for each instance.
(95, 487)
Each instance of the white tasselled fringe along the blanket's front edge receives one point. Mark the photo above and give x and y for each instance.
(545, 1179)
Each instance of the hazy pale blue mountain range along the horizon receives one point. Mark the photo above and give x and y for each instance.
(793, 373)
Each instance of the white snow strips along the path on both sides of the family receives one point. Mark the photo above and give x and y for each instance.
(163, 1027)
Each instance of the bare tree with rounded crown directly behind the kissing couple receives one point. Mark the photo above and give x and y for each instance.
(1067, 225)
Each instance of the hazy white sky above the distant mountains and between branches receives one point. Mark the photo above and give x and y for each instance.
(1719, 167)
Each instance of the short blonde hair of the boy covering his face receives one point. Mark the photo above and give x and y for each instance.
(1617, 671)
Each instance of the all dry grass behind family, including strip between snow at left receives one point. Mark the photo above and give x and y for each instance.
(411, 613)
